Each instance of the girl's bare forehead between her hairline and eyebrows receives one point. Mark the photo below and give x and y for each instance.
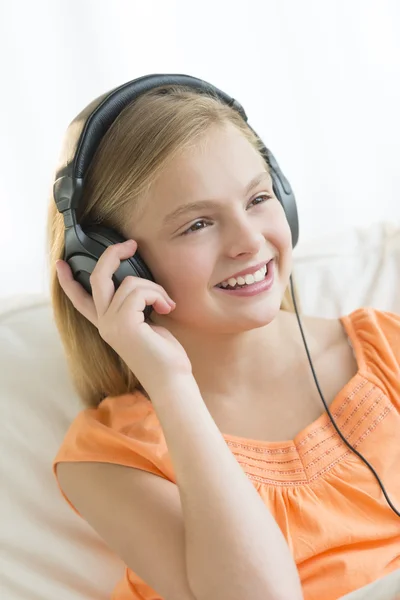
(220, 166)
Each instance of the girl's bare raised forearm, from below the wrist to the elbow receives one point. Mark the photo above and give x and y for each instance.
(234, 547)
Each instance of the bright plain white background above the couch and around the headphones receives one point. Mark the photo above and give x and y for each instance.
(319, 80)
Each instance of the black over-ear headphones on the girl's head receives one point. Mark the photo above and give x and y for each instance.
(84, 248)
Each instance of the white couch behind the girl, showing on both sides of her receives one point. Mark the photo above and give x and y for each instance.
(47, 552)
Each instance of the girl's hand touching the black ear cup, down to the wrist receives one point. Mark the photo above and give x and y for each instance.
(151, 352)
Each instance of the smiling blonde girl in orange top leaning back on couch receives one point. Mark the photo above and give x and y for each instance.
(204, 456)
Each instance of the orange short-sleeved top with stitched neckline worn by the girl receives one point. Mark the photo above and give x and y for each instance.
(328, 504)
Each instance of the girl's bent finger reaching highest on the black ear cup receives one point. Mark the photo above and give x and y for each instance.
(103, 288)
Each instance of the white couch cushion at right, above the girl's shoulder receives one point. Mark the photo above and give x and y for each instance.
(358, 267)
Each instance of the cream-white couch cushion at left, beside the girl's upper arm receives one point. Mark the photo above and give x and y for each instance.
(47, 552)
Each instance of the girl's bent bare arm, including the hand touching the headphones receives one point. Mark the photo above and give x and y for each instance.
(225, 543)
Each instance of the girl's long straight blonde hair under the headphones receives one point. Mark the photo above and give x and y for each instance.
(142, 140)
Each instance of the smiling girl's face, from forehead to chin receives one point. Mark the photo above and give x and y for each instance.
(203, 223)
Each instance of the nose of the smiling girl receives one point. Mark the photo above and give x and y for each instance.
(243, 236)
